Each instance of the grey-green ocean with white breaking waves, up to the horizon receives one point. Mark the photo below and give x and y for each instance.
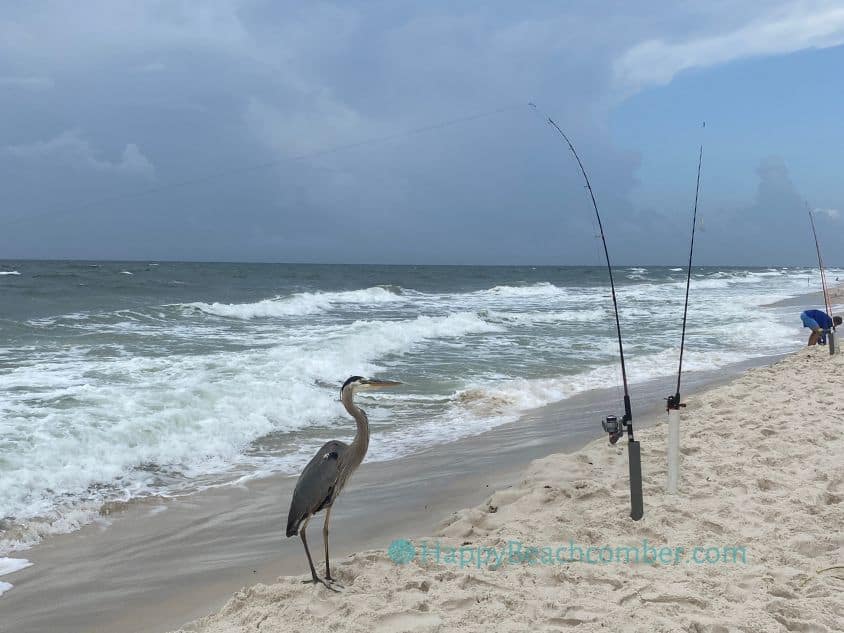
(122, 380)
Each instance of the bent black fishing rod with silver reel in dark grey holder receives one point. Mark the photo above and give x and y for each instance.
(611, 424)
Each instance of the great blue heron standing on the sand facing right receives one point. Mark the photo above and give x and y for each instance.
(328, 471)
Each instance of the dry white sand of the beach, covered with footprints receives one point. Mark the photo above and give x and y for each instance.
(762, 469)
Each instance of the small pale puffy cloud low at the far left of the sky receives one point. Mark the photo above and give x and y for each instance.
(72, 149)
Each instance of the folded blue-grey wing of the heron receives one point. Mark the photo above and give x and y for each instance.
(315, 487)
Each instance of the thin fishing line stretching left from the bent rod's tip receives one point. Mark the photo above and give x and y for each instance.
(234, 171)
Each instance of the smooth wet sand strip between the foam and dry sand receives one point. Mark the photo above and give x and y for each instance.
(161, 562)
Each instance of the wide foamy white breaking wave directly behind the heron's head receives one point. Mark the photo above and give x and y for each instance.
(189, 416)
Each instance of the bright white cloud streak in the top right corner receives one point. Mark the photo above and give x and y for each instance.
(657, 62)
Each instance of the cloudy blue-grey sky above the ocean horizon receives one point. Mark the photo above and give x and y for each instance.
(387, 132)
